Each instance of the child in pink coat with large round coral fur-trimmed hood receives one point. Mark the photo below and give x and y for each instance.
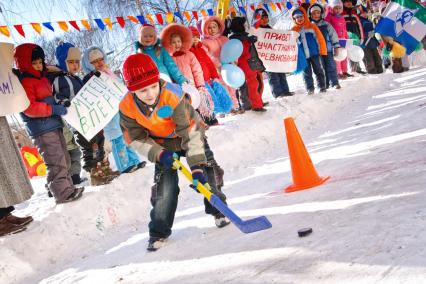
(177, 40)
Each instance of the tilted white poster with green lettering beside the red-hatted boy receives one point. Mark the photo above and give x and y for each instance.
(95, 105)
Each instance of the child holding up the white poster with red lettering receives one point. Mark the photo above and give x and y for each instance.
(277, 81)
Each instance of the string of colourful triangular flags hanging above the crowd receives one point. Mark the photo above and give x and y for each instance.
(161, 19)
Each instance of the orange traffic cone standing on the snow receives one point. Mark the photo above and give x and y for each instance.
(303, 171)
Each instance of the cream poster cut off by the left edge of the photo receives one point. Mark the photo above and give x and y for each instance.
(13, 98)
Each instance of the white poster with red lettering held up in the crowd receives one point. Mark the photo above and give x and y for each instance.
(277, 49)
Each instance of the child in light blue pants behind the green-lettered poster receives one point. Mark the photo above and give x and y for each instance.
(126, 159)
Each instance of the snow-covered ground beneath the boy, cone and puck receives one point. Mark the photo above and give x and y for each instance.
(368, 220)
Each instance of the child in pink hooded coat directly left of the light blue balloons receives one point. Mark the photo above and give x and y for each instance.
(212, 29)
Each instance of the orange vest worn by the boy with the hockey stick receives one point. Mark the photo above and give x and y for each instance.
(157, 127)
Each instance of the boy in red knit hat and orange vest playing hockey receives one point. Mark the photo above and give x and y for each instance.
(159, 121)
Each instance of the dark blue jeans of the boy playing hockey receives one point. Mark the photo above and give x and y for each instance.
(165, 192)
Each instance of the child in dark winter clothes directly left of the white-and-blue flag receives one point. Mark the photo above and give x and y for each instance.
(372, 59)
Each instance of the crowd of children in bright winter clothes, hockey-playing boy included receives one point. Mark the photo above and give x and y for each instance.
(155, 76)
